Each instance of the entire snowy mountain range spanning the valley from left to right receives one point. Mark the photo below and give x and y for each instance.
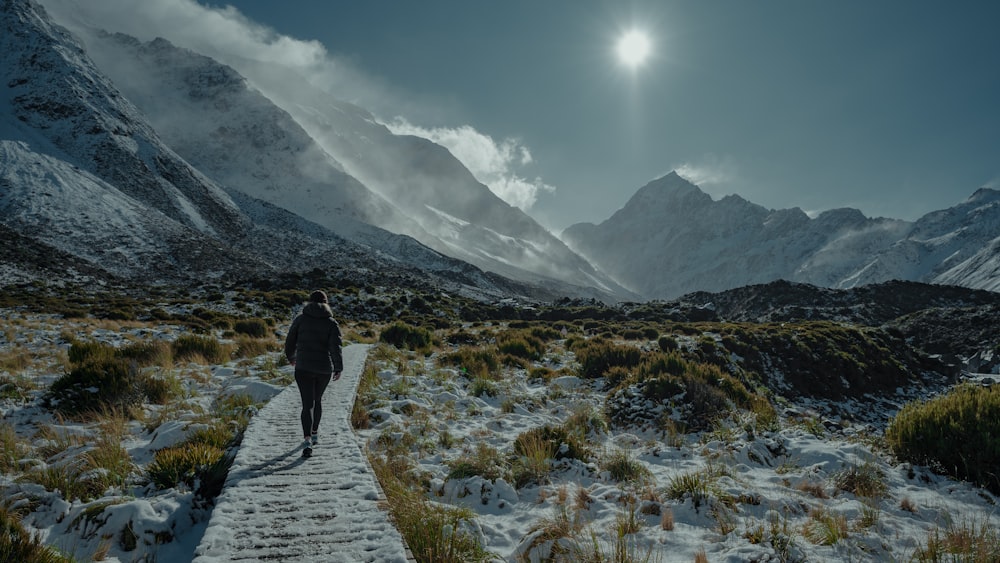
(145, 160)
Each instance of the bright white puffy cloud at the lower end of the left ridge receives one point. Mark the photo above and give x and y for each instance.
(493, 163)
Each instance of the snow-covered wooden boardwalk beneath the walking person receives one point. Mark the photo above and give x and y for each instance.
(278, 506)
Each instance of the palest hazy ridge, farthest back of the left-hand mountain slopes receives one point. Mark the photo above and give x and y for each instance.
(457, 215)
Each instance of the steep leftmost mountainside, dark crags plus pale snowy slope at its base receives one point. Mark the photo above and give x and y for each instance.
(83, 171)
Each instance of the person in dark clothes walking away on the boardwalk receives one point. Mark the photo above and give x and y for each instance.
(312, 346)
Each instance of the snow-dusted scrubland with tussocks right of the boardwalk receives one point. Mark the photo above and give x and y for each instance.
(589, 441)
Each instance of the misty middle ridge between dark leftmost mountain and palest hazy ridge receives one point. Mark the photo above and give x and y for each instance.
(221, 125)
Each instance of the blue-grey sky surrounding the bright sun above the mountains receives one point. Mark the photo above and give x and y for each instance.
(892, 107)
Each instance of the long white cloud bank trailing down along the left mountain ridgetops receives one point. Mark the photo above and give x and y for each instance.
(230, 37)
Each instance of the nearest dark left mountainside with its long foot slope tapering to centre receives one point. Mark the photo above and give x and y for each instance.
(90, 190)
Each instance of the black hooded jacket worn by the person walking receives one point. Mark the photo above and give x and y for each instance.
(313, 340)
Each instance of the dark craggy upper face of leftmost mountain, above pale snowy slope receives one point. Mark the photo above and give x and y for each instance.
(62, 105)
